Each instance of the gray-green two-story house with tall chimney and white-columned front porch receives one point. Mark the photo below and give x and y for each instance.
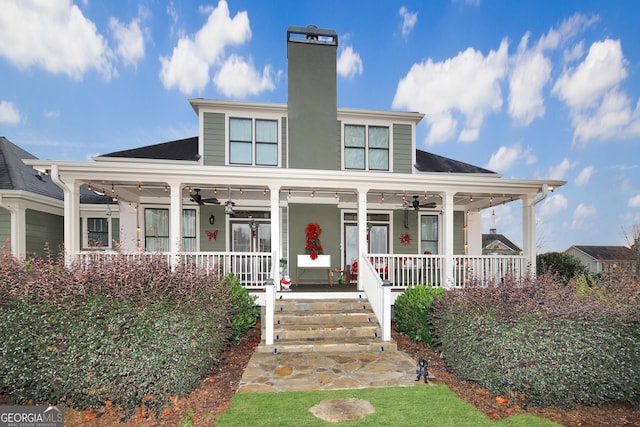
(239, 196)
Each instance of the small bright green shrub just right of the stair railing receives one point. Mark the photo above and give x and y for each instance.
(413, 310)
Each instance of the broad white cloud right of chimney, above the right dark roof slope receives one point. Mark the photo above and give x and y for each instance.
(468, 84)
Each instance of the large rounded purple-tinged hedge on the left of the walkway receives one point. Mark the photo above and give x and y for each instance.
(131, 331)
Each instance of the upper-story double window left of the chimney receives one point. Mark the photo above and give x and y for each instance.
(253, 142)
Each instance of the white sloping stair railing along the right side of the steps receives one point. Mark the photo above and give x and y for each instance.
(378, 293)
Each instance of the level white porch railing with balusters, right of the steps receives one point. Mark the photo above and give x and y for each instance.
(405, 270)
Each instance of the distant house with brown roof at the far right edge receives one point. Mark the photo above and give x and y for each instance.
(602, 259)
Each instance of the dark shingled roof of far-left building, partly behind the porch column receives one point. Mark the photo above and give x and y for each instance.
(15, 175)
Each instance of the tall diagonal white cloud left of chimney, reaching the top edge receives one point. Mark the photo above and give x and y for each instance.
(188, 66)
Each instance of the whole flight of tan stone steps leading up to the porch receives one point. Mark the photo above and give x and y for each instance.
(336, 325)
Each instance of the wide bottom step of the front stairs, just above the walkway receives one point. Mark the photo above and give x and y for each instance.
(347, 344)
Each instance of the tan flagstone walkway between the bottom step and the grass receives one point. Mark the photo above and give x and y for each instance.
(268, 372)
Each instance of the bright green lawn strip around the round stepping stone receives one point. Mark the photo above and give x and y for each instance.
(395, 406)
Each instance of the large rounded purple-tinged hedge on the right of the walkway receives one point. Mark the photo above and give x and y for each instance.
(543, 342)
